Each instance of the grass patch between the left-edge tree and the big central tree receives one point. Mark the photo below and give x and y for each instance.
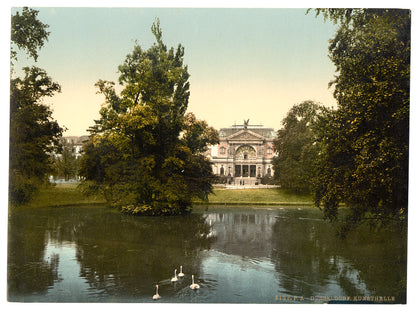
(62, 195)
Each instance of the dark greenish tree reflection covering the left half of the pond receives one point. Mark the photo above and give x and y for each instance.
(117, 254)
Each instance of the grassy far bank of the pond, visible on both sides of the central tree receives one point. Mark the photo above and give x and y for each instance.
(68, 194)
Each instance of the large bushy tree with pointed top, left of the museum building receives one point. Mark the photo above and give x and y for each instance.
(145, 153)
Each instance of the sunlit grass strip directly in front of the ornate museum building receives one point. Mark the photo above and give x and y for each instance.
(266, 196)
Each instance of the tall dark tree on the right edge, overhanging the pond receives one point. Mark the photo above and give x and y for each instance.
(366, 141)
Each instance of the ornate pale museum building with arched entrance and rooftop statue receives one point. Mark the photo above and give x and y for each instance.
(244, 154)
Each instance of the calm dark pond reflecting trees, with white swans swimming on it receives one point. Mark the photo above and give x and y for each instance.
(237, 255)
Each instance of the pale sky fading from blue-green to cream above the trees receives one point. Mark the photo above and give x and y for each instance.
(244, 63)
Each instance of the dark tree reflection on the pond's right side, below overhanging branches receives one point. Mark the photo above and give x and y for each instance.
(312, 260)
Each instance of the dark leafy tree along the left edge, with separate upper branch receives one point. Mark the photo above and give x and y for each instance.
(34, 134)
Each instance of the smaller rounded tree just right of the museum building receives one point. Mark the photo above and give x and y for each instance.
(297, 147)
